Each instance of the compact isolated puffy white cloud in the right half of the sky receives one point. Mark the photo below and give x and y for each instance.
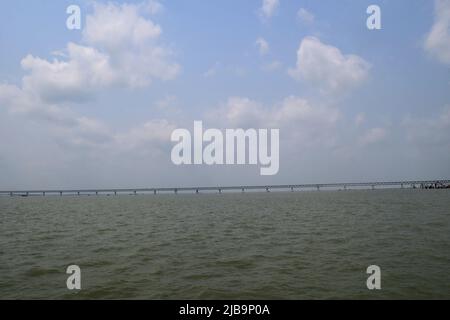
(325, 66)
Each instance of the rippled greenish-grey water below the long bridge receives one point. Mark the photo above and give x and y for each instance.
(231, 246)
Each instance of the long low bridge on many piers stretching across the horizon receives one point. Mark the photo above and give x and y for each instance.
(422, 184)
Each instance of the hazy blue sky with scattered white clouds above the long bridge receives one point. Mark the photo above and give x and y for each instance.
(95, 107)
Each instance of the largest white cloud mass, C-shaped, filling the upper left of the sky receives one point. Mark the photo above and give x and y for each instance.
(120, 47)
